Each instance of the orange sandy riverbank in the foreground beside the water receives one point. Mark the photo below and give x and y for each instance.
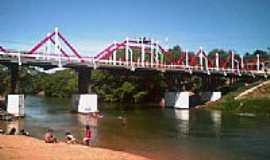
(28, 148)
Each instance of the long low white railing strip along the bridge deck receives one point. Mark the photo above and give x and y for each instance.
(21, 57)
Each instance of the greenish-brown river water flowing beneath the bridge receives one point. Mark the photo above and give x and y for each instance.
(162, 134)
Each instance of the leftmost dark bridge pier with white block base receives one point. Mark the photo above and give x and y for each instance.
(15, 100)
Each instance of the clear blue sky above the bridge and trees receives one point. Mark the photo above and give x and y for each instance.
(90, 25)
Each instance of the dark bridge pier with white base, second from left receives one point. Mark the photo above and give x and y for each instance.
(84, 102)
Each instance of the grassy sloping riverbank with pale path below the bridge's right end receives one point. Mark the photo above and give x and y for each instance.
(256, 99)
